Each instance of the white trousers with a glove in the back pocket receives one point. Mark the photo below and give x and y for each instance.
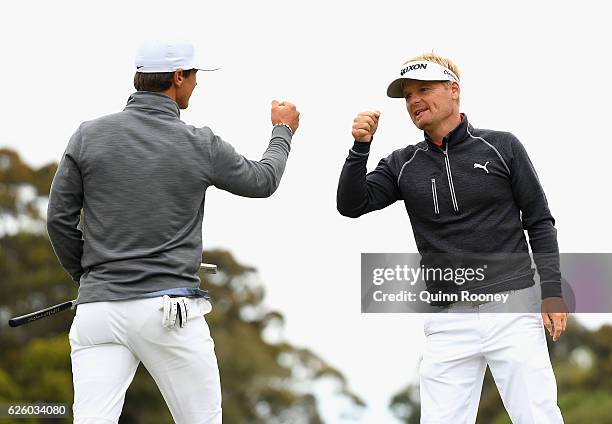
(109, 339)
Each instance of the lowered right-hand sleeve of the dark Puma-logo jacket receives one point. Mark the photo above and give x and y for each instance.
(536, 218)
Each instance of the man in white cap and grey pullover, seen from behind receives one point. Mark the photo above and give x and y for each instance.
(140, 178)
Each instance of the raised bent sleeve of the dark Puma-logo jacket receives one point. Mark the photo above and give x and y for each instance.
(360, 192)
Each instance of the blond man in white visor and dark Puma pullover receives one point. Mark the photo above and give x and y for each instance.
(468, 191)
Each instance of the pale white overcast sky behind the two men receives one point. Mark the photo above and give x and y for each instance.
(537, 69)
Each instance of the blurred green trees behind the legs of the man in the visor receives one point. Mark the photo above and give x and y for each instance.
(582, 361)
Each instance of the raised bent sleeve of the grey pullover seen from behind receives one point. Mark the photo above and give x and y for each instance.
(234, 173)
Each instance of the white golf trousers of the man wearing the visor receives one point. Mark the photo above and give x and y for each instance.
(461, 343)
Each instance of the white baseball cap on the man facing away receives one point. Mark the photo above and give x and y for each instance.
(166, 56)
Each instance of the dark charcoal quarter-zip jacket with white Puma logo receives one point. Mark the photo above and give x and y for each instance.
(469, 202)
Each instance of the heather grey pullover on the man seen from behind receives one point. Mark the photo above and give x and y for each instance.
(140, 177)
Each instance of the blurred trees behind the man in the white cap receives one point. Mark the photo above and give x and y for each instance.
(263, 380)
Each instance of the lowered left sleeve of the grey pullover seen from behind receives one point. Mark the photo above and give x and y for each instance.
(64, 210)
